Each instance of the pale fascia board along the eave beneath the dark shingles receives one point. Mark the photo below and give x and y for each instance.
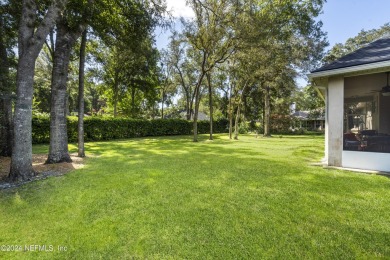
(352, 69)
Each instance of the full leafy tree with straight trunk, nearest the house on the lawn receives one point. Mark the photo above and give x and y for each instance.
(287, 36)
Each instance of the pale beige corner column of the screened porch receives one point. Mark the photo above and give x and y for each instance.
(334, 118)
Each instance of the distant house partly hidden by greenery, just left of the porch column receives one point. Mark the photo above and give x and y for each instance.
(309, 120)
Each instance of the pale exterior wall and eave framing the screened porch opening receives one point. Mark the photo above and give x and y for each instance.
(336, 85)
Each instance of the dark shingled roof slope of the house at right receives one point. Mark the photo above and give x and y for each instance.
(376, 51)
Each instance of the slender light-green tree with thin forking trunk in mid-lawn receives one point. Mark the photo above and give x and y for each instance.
(209, 35)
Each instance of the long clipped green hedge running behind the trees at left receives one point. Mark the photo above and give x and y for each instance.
(106, 128)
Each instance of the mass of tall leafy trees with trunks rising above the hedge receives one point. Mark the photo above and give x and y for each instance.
(235, 59)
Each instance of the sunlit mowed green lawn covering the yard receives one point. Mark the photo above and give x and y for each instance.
(170, 198)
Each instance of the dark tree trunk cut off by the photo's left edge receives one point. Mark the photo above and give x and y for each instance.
(5, 98)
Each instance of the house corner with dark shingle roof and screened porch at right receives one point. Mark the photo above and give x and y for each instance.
(357, 119)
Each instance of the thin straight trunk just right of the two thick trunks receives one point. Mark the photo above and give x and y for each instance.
(81, 149)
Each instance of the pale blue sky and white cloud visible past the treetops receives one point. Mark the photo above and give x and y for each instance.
(342, 19)
